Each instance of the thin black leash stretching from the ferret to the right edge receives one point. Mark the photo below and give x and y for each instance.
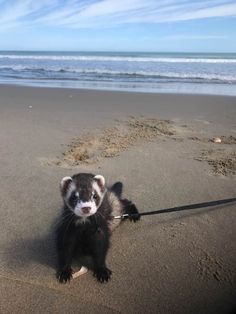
(179, 208)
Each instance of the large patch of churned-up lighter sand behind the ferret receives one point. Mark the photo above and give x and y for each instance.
(110, 142)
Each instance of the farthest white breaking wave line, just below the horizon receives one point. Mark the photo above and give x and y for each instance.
(120, 58)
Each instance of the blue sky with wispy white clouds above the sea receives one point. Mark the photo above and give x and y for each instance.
(118, 25)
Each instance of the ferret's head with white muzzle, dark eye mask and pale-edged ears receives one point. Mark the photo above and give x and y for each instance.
(83, 193)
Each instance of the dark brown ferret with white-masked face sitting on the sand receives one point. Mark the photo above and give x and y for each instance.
(86, 223)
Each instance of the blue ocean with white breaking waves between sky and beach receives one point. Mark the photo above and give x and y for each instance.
(195, 73)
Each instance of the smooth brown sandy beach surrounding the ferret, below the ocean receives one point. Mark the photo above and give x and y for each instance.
(161, 147)
